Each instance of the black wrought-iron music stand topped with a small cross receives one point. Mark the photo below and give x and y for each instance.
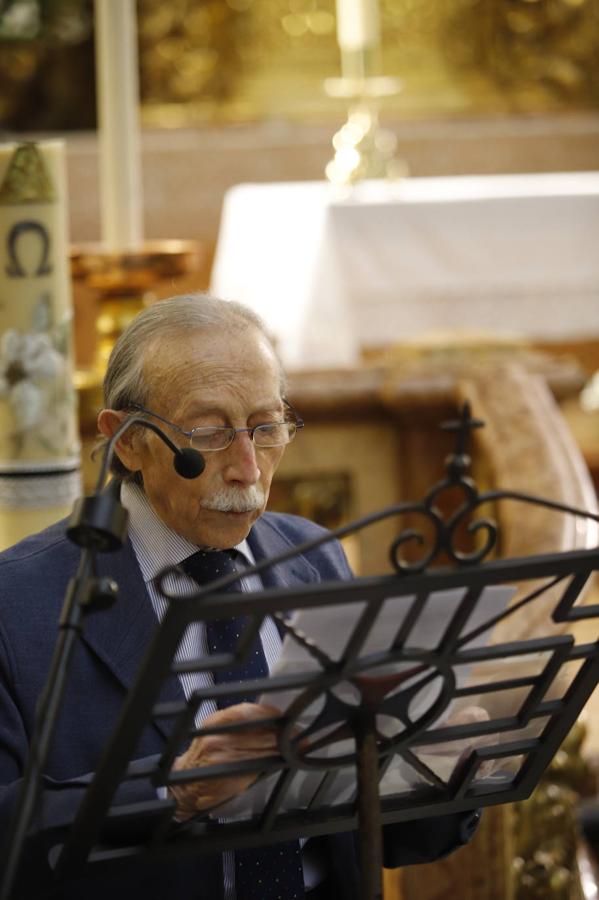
(369, 738)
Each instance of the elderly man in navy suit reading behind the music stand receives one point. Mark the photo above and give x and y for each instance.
(206, 372)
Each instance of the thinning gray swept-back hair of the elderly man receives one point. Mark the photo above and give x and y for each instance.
(126, 382)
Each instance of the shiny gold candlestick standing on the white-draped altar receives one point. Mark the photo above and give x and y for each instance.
(362, 148)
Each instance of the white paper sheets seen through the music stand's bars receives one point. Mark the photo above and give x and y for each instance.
(331, 628)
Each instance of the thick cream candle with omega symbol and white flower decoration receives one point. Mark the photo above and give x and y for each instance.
(39, 441)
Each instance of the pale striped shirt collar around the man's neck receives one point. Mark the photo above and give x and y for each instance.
(155, 545)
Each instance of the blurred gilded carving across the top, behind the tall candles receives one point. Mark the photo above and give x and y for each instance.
(204, 60)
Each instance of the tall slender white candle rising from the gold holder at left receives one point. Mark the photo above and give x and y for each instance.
(117, 81)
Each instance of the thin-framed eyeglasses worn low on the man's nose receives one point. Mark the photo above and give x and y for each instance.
(219, 437)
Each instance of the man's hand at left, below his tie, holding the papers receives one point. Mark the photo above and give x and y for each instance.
(216, 749)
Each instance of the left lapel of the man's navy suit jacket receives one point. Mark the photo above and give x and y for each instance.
(120, 635)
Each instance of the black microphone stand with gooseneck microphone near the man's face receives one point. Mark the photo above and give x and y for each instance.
(98, 523)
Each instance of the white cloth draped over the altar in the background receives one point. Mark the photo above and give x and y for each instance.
(333, 271)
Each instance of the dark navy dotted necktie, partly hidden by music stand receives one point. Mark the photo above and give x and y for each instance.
(267, 873)
